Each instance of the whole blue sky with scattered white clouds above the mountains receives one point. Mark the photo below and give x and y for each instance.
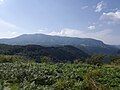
(98, 19)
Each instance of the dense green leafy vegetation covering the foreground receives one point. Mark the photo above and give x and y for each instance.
(18, 74)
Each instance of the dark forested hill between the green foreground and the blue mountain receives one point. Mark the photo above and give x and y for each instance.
(57, 54)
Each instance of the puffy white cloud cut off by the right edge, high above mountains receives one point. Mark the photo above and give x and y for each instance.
(111, 16)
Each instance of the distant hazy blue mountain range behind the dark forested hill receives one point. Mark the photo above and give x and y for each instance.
(88, 45)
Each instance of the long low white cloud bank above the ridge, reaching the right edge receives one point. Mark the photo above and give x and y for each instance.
(104, 35)
